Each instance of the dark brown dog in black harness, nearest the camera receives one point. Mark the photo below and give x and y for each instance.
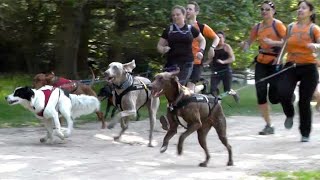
(199, 116)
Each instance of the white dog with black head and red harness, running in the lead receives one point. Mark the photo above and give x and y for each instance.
(47, 103)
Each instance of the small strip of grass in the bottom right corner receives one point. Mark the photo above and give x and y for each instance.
(305, 175)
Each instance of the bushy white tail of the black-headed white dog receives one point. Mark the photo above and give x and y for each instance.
(83, 105)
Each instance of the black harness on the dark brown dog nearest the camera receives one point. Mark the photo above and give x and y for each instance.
(212, 101)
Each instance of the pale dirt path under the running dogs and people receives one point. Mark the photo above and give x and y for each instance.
(91, 153)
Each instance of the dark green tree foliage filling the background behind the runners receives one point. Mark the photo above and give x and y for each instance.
(121, 30)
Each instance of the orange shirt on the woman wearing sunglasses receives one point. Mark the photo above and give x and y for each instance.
(267, 31)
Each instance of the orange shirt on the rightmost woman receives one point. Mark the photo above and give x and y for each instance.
(297, 49)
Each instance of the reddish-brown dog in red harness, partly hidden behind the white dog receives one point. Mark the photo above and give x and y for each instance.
(72, 86)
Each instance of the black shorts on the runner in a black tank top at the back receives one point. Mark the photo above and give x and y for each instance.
(225, 76)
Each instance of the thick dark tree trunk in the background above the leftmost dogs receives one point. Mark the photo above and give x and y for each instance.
(68, 39)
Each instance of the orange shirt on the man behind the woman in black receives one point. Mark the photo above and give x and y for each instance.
(207, 33)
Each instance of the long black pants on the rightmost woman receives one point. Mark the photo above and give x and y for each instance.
(308, 77)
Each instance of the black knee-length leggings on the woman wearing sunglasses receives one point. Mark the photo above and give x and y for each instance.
(262, 71)
